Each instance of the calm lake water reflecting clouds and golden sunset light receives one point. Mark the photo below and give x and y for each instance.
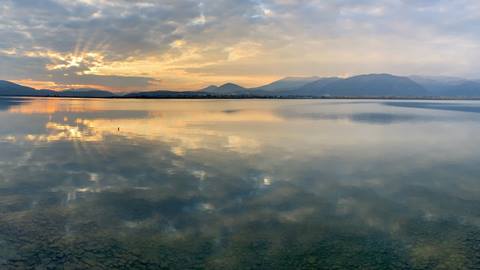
(239, 184)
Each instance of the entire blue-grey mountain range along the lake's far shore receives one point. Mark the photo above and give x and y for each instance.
(370, 85)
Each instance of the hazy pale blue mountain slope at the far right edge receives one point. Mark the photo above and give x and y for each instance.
(449, 86)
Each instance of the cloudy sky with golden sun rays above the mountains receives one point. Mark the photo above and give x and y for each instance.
(137, 45)
